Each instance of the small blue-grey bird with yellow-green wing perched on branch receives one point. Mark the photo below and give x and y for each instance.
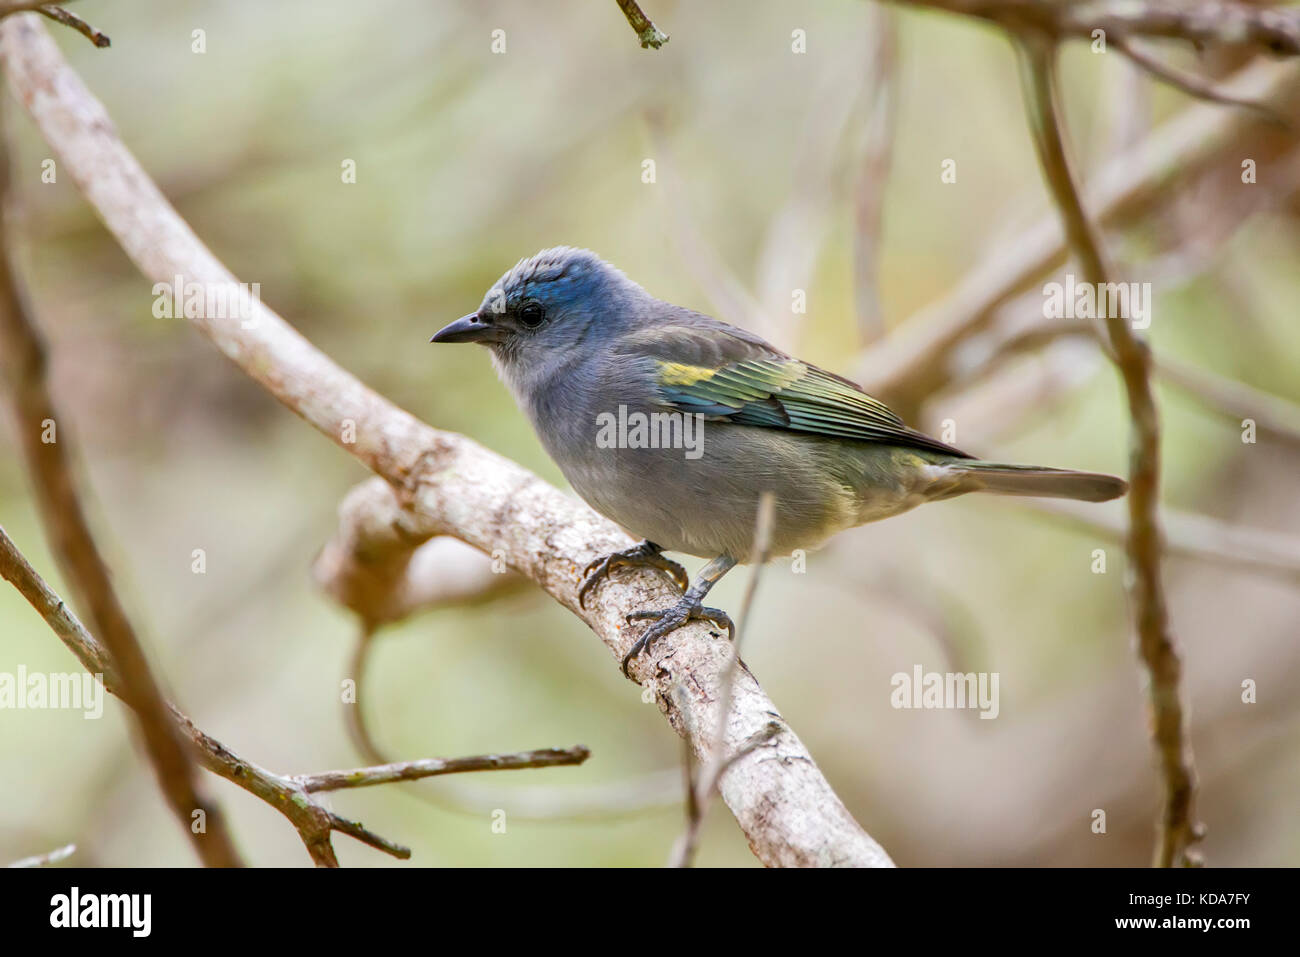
(675, 425)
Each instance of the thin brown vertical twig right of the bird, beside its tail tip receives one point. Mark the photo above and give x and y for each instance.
(1133, 357)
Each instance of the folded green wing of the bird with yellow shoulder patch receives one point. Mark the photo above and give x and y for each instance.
(740, 379)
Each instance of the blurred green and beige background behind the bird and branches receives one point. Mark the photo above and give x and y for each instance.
(469, 161)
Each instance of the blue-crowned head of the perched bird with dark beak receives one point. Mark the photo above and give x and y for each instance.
(548, 305)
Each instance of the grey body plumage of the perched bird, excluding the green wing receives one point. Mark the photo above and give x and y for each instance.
(591, 357)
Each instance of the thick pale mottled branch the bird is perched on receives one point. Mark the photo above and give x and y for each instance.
(448, 484)
